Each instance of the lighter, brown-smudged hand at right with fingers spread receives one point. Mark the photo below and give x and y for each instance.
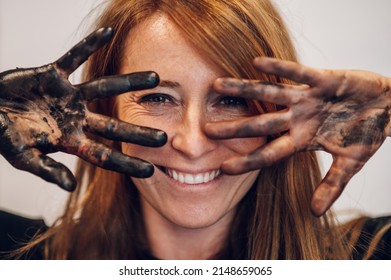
(345, 113)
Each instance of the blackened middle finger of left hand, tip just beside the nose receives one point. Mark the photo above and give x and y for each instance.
(121, 131)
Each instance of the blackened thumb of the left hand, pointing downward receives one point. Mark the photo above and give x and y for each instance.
(48, 169)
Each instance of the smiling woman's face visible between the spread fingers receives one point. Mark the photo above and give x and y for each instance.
(187, 188)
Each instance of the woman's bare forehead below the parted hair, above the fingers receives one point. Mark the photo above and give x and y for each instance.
(158, 44)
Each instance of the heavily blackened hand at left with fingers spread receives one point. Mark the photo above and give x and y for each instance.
(41, 112)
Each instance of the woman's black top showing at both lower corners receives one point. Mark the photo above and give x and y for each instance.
(16, 231)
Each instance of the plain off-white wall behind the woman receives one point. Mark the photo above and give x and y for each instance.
(328, 34)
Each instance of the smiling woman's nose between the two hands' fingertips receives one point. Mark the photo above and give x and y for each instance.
(189, 138)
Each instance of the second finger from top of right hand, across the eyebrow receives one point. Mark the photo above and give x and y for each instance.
(264, 91)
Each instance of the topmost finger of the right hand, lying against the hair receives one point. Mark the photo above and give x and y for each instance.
(287, 69)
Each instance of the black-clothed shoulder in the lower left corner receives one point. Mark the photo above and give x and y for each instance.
(16, 231)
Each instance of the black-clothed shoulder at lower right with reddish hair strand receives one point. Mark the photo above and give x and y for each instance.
(374, 241)
